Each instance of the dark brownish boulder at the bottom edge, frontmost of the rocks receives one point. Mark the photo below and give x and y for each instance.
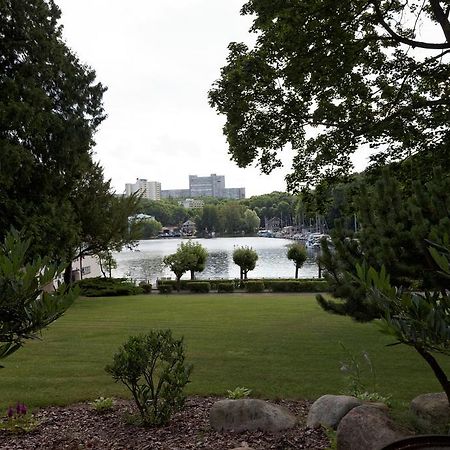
(367, 427)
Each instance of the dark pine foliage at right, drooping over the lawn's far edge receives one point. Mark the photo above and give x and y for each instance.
(394, 230)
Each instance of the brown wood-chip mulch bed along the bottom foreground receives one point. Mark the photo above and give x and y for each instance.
(80, 427)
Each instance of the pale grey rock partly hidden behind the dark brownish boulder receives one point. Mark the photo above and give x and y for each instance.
(328, 410)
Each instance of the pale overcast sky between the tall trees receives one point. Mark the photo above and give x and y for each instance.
(158, 60)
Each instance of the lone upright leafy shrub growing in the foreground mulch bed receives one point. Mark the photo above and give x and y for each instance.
(153, 368)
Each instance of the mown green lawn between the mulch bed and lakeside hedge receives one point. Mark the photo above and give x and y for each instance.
(277, 345)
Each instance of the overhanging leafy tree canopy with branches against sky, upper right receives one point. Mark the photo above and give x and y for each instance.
(329, 76)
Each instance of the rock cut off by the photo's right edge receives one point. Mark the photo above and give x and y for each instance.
(431, 409)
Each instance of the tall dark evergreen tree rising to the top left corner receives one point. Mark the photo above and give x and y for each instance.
(50, 108)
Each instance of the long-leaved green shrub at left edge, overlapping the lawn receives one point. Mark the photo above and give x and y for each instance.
(26, 306)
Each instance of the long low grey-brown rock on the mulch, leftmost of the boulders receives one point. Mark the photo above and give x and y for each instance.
(250, 414)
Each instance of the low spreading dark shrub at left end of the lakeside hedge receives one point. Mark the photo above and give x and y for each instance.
(107, 287)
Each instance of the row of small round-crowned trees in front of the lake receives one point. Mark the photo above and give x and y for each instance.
(191, 257)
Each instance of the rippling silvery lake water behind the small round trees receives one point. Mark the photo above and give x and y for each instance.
(145, 262)
